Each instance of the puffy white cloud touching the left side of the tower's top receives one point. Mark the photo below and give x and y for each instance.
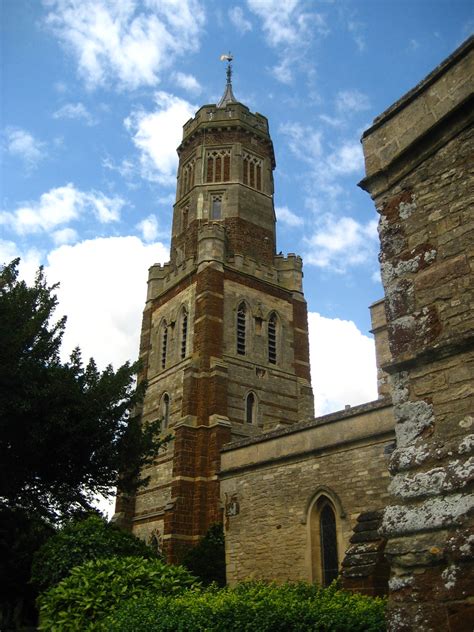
(157, 134)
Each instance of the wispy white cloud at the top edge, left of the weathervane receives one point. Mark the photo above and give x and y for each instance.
(125, 42)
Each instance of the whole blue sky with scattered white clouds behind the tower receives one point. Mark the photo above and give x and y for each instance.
(94, 96)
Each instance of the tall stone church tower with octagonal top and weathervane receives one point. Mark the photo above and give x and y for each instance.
(224, 340)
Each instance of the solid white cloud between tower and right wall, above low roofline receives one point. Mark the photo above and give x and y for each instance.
(343, 368)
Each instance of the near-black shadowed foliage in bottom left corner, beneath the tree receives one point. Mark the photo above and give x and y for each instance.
(20, 536)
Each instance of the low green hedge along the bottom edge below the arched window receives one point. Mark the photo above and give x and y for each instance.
(252, 607)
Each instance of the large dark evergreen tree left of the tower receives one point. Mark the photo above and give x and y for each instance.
(65, 429)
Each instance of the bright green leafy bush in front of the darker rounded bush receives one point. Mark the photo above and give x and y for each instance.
(92, 590)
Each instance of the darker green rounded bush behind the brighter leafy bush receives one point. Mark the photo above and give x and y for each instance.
(79, 542)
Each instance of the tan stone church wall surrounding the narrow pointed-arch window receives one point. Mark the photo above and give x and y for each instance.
(270, 483)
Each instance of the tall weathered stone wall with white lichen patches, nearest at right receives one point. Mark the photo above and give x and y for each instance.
(420, 174)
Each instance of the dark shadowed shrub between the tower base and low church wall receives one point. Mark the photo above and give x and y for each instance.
(207, 559)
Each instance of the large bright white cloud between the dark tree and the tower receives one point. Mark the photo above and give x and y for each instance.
(95, 276)
